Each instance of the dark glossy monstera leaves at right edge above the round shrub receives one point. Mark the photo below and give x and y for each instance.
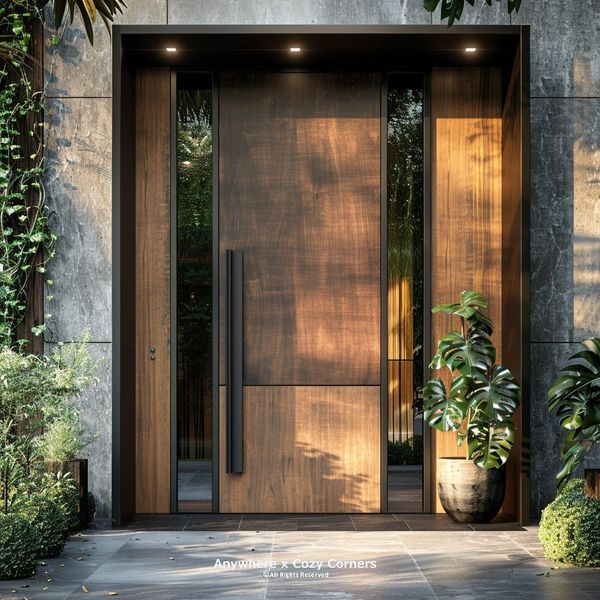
(575, 399)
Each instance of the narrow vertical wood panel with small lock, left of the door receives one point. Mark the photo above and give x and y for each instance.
(152, 231)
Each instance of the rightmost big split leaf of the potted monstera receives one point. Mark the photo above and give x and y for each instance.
(496, 395)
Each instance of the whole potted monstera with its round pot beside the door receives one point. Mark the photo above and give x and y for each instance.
(479, 405)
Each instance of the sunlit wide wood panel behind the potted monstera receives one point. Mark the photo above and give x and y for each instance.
(466, 230)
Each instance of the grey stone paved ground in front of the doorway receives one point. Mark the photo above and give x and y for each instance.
(181, 565)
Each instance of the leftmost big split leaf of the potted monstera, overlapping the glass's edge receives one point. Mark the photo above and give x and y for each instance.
(442, 411)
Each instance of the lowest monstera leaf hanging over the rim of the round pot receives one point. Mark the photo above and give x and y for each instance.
(490, 443)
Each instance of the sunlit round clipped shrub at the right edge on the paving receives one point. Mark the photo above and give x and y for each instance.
(570, 526)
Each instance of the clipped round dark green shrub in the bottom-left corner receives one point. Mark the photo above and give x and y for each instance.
(18, 547)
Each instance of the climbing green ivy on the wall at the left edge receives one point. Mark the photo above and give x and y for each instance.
(26, 242)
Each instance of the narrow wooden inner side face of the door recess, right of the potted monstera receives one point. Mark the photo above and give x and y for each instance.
(516, 502)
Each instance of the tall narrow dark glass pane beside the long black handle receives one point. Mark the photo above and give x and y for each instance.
(194, 293)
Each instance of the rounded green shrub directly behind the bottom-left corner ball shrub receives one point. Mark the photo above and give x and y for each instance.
(50, 521)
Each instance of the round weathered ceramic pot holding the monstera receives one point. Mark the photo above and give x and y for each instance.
(468, 493)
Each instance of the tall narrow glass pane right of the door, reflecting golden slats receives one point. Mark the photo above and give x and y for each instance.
(405, 291)
